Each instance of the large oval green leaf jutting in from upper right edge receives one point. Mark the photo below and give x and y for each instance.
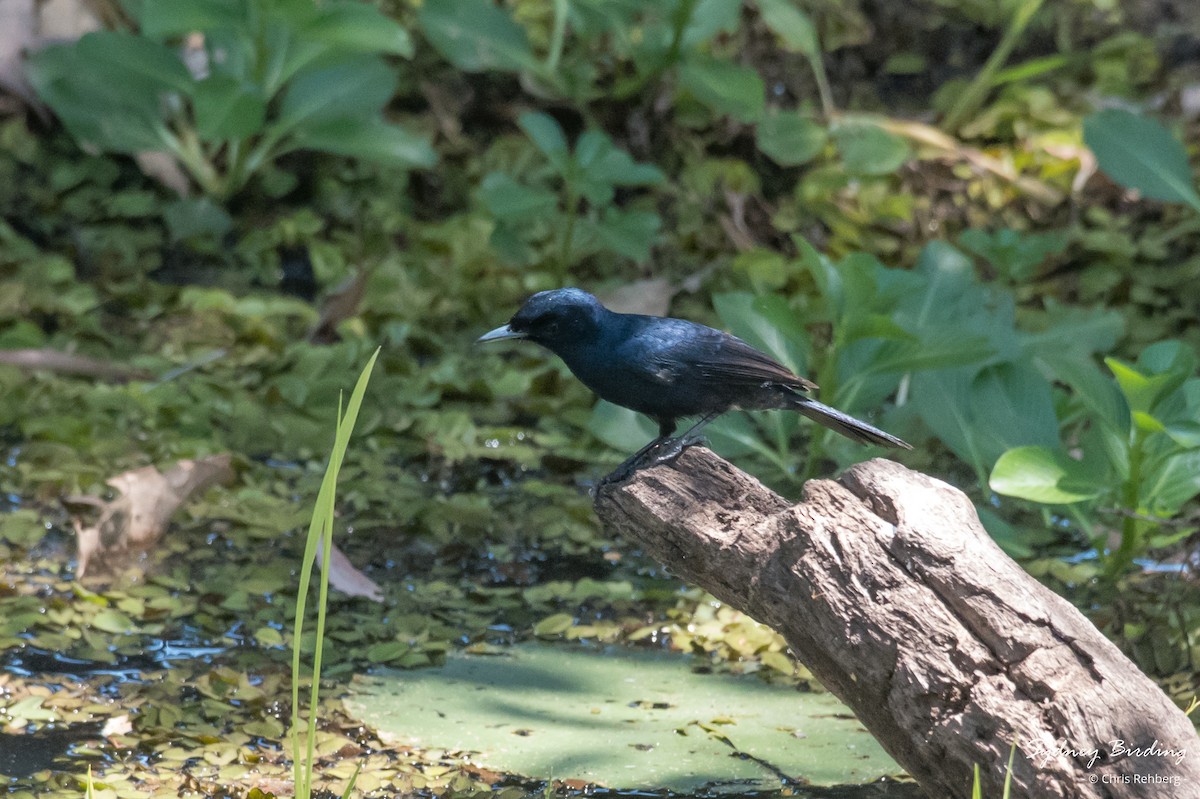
(1139, 153)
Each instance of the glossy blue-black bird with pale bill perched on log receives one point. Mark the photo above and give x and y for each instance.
(668, 369)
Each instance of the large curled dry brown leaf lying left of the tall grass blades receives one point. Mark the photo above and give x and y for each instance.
(135, 521)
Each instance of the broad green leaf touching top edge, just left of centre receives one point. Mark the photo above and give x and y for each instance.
(476, 35)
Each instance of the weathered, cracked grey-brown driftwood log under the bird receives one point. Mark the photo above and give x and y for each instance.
(889, 590)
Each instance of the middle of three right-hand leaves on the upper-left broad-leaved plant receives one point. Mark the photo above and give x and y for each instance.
(359, 87)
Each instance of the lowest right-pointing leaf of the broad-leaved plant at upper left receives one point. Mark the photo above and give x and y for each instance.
(373, 140)
